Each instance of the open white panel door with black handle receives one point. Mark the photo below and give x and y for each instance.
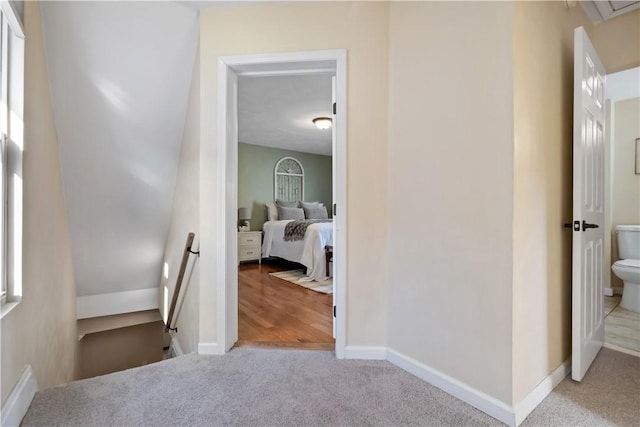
(588, 205)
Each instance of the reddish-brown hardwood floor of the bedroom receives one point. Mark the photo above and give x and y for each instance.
(275, 313)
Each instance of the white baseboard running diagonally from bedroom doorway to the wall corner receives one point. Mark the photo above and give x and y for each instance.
(456, 388)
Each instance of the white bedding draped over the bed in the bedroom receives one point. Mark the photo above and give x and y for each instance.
(308, 252)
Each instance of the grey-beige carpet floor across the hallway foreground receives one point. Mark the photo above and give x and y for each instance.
(260, 387)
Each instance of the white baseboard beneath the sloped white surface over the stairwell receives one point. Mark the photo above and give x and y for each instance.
(117, 303)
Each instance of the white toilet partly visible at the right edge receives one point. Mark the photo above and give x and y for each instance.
(628, 267)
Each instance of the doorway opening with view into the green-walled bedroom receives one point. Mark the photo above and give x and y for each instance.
(285, 286)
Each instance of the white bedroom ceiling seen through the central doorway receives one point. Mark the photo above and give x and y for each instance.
(277, 111)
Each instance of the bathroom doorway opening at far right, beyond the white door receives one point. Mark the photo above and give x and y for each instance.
(622, 197)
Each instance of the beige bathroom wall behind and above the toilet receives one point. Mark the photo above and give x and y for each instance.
(625, 183)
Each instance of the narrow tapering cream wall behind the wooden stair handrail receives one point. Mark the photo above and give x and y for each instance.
(185, 218)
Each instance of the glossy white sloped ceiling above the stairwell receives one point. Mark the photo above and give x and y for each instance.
(120, 74)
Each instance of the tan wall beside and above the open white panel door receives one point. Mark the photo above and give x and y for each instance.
(543, 132)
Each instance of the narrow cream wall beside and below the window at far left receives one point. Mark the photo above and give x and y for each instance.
(41, 330)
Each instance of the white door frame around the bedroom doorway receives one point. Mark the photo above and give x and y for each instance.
(226, 263)
